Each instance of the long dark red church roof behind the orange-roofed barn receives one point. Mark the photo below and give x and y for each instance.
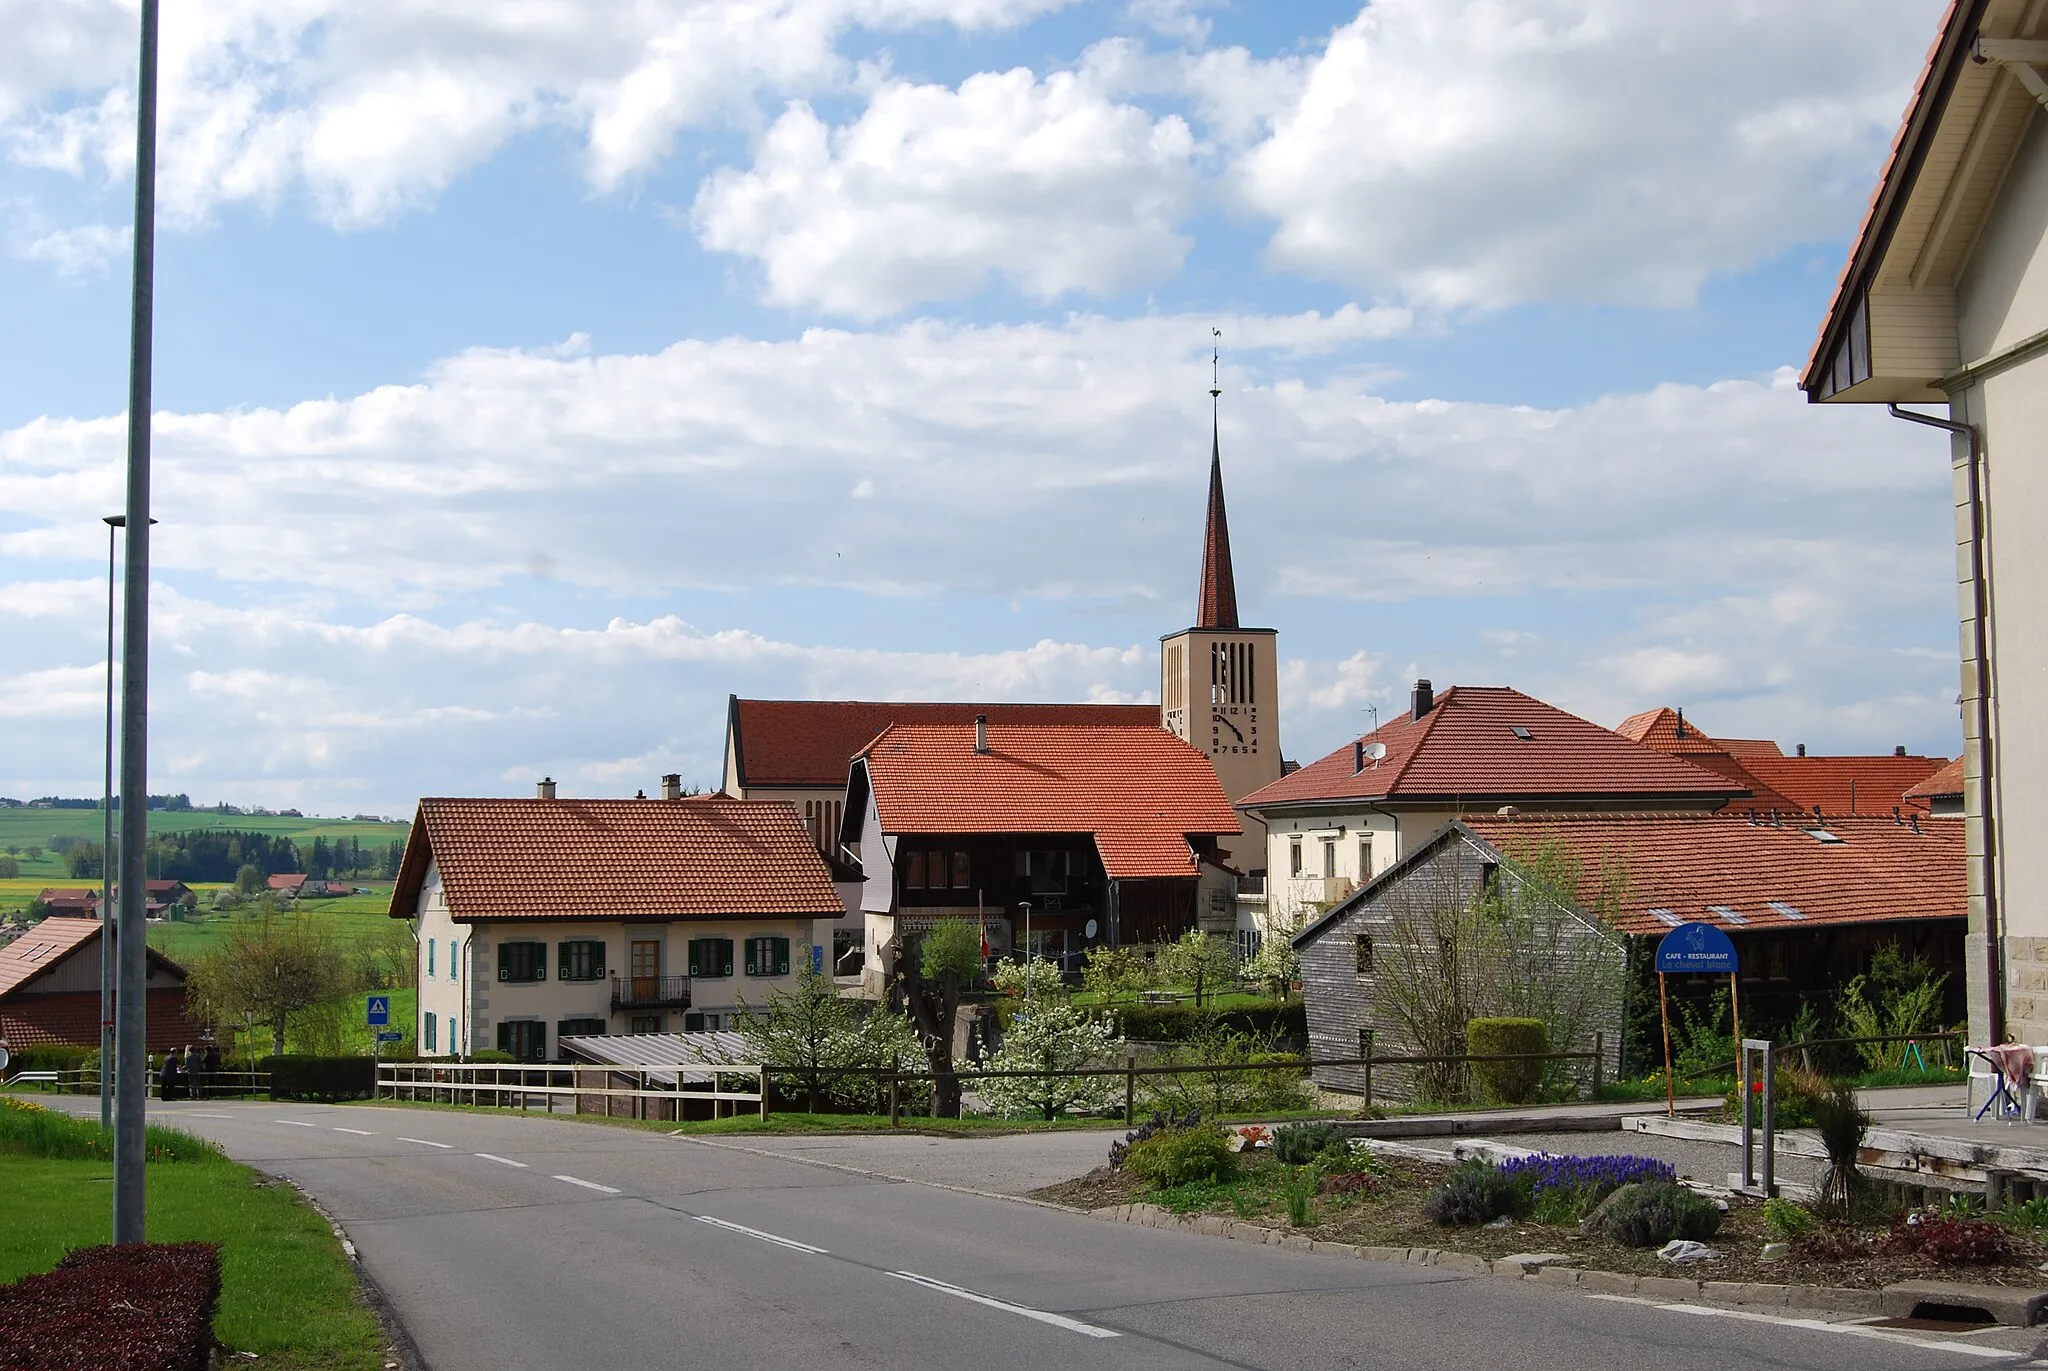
(810, 743)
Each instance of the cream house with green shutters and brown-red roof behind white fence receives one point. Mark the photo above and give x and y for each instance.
(546, 919)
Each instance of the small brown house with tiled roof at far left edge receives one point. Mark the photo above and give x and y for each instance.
(50, 989)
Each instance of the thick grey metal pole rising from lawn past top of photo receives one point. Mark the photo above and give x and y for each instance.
(130, 1044)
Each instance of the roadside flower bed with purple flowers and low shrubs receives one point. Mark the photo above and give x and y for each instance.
(1537, 1206)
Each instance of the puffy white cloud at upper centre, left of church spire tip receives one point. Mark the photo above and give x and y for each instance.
(931, 192)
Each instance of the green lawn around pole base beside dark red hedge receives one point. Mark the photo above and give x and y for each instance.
(288, 1292)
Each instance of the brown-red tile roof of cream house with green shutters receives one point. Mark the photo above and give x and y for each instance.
(701, 858)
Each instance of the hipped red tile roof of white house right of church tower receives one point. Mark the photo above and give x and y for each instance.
(1467, 751)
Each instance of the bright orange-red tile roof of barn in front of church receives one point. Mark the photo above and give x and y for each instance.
(1142, 792)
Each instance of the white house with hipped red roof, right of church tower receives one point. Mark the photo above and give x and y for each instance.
(1349, 817)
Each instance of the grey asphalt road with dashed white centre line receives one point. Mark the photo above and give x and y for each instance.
(511, 1243)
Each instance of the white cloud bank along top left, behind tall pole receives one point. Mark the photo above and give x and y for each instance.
(374, 110)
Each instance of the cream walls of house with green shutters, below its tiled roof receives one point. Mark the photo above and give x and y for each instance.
(464, 999)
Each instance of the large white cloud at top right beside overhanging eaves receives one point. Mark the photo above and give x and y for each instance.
(1492, 153)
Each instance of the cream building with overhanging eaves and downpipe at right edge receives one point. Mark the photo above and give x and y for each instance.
(1945, 300)
